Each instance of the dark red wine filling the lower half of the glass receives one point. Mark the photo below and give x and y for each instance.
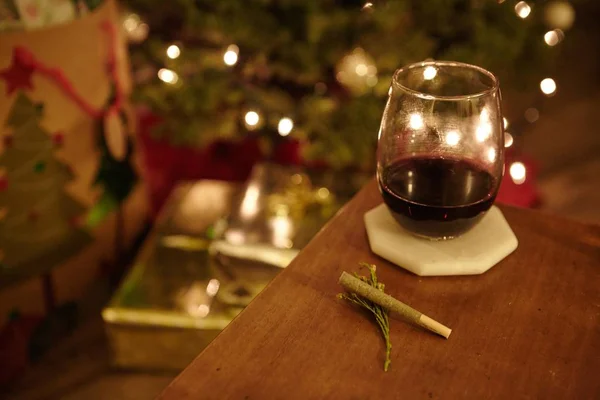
(437, 197)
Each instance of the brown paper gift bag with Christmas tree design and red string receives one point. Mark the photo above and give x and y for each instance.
(63, 92)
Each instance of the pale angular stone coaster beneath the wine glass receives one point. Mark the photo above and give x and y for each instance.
(474, 252)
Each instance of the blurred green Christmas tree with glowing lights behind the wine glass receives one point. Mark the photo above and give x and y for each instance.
(316, 72)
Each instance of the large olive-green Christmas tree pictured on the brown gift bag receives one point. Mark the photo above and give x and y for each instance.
(39, 228)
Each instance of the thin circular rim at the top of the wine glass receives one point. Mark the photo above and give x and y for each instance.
(428, 96)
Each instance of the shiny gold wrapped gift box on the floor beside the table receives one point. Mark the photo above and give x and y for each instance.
(214, 247)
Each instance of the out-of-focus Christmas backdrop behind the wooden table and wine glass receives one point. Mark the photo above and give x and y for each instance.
(192, 148)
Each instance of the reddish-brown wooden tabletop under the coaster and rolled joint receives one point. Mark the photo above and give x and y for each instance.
(527, 328)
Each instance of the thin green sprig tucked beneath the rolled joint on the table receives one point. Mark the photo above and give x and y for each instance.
(379, 313)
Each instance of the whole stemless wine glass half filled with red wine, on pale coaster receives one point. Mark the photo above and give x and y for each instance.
(440, 149)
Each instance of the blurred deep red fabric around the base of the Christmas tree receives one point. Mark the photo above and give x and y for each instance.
(165, 164)
